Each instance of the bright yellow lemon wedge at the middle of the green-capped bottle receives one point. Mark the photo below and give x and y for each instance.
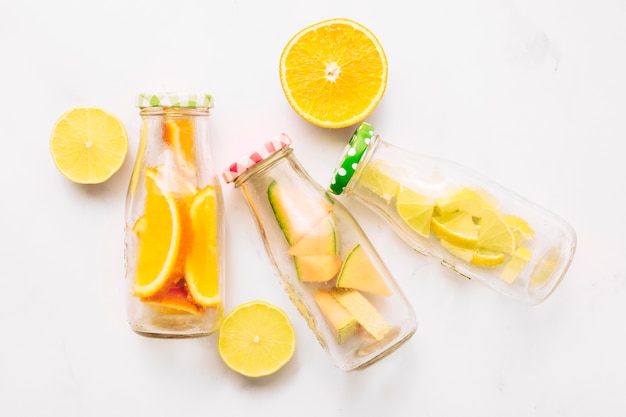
(457, 228)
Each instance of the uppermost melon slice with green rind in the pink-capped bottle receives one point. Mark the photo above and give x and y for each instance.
(297, 212)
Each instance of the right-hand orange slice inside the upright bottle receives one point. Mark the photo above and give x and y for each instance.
(201, 263)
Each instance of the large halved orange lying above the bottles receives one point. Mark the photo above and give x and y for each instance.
(334, 73)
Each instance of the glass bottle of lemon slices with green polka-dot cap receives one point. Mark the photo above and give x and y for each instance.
(471, 224)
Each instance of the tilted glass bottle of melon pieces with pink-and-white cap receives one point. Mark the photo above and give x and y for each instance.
(327, 265)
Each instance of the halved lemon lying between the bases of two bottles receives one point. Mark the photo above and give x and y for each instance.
(256, 339)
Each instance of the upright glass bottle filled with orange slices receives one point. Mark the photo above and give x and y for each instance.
(174, 229)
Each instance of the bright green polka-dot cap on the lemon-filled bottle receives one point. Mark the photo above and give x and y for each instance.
(352, 155)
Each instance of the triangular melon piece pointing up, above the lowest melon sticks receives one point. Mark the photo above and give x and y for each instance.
(359, 273)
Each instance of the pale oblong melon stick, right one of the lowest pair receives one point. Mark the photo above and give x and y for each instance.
(364, 312)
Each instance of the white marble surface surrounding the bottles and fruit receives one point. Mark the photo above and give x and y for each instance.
(531, 93)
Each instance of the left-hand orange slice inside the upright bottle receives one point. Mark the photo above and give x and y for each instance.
(159, 232)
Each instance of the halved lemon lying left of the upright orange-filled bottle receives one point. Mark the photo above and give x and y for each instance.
(88, 145)
